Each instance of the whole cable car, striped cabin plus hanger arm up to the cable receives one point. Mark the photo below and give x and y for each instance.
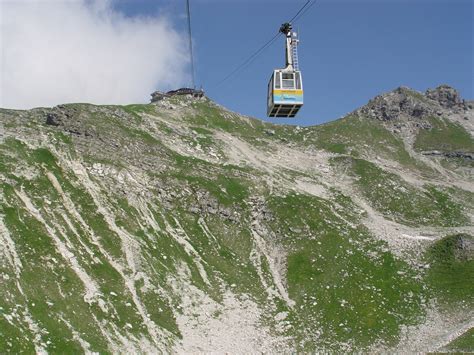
(285, 88)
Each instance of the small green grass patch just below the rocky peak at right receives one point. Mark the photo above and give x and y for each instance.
(444, 136)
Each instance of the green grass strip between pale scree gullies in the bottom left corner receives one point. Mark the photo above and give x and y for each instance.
(39, 280)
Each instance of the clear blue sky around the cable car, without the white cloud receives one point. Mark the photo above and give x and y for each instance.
(350, 50)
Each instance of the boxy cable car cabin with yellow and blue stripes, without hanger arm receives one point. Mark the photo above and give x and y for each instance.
(285, 93)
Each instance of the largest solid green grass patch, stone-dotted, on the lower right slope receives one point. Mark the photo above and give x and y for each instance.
(346, 285)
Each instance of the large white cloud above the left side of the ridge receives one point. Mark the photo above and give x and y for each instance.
(56, 52)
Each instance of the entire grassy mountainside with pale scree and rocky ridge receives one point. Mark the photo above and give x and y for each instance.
(180, 226)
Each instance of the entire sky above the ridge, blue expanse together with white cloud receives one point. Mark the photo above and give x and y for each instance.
(56, 51)
